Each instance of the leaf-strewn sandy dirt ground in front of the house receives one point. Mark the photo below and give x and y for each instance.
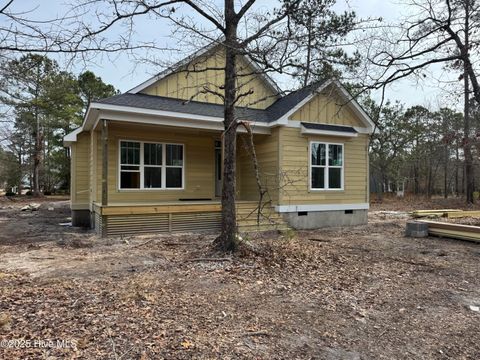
(364, 292)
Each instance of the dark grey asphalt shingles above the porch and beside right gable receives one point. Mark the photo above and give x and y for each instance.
(152, 102)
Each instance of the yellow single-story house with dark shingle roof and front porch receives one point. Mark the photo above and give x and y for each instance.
(150, 160)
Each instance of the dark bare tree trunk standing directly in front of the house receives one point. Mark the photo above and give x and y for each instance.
(227, 241)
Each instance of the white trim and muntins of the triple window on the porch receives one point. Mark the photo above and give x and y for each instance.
(142, 166)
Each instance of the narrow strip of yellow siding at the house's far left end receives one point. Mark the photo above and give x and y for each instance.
(80, 177)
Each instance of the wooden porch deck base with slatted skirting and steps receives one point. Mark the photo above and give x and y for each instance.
(177, 217)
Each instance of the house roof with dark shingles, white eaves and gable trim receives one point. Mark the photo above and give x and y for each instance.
(166, 111)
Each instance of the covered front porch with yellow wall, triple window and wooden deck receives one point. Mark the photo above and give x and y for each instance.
(160, 179)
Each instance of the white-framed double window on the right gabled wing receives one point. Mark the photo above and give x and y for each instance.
(326, 166)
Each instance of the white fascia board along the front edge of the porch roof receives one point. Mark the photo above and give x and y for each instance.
(174, 122)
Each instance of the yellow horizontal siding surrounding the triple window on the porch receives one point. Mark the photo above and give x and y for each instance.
(198, 167)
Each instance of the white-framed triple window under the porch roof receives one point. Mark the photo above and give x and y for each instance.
(147, 165)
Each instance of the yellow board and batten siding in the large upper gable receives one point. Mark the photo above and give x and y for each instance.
(188, 84)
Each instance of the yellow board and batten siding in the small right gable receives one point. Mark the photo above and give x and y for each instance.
(327, 108)
